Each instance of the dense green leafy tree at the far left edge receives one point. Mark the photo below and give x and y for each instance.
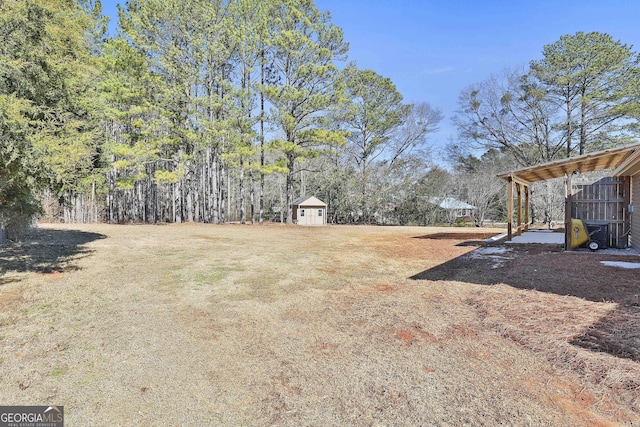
(48, 123)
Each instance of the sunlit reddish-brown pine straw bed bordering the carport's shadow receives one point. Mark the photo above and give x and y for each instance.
(554, 327)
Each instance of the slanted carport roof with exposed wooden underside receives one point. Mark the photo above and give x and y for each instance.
(621, 159)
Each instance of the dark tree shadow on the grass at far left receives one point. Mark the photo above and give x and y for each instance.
(45, 251)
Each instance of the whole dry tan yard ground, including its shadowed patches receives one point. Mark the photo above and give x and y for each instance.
(341, 325)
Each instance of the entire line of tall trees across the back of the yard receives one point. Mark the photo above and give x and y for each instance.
(227, 110)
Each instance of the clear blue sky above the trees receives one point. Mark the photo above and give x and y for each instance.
(433, 49)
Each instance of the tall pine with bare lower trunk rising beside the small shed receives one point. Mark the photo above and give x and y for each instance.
(303, 54)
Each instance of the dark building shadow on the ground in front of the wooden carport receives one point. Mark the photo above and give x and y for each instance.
(546, 268)
